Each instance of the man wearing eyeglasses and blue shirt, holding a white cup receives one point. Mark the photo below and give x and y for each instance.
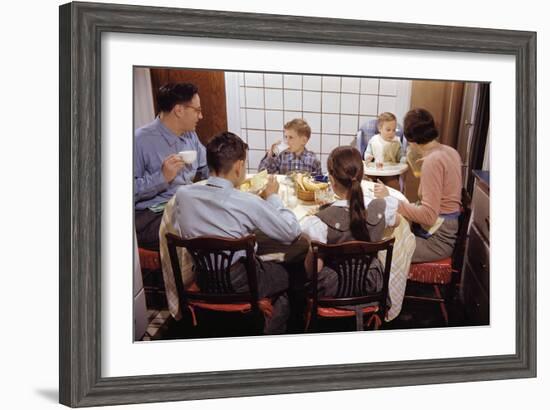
(159, 169)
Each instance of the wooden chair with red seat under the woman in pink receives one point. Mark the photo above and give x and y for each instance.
(444, 273)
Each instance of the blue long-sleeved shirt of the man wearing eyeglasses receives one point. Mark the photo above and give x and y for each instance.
(153, 143)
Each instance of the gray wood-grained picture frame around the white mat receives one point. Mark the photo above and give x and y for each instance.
(81, 27)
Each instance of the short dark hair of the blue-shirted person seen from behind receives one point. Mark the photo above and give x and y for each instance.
(223, 151)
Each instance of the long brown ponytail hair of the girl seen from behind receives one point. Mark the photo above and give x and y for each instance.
(346, 166)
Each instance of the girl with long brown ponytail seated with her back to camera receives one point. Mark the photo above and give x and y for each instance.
(353, 217)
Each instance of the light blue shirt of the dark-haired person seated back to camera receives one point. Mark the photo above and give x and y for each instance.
(219, 209)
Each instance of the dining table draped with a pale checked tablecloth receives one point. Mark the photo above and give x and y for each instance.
(270, 250)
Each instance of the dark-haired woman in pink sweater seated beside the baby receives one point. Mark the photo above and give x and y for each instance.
(435, 217)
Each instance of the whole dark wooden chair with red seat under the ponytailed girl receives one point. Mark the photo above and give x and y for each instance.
(351, 261)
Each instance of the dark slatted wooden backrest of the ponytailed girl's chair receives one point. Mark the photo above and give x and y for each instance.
(351, 261)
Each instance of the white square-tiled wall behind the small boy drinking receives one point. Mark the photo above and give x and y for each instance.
(334, 107)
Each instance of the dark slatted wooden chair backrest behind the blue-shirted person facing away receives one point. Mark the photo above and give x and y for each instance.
(213, 258)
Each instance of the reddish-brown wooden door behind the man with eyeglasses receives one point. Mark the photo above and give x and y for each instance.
(211, 85)
